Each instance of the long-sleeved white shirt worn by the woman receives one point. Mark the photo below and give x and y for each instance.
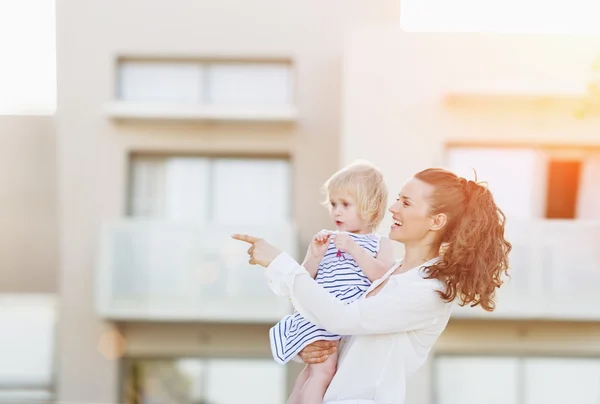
(390, 333)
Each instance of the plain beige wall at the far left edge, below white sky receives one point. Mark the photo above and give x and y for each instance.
(29, 215)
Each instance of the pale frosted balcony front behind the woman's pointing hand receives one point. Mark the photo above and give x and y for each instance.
(165, 271)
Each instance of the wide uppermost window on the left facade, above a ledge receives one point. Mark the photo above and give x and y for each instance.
(261, 84)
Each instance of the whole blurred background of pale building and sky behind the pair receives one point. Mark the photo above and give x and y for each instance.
(137, 136)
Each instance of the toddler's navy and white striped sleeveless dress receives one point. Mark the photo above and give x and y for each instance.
(339, 274)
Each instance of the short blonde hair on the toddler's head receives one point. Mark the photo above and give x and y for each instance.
(364, 182)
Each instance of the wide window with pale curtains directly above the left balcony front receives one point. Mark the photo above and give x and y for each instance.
(220, 190)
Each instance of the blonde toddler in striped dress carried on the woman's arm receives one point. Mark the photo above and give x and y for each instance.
(344, 262)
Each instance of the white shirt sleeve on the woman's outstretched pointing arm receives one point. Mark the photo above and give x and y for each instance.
(398, 307)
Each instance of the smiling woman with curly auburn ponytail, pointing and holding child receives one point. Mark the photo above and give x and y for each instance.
(453, 234)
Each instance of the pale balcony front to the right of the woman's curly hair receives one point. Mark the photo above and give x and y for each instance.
(555, 273)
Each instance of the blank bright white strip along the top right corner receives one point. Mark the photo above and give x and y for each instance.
(500, 16)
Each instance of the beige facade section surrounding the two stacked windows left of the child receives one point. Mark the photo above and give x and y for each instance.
(93, 150)
